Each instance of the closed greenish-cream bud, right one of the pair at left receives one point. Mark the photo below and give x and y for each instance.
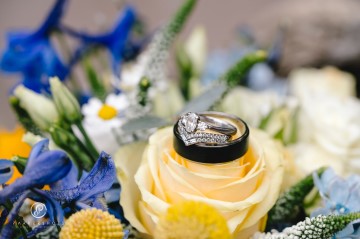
(65, 102)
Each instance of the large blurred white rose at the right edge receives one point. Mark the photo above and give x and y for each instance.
(329, 117)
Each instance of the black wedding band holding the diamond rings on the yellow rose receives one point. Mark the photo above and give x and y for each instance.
(214, 153)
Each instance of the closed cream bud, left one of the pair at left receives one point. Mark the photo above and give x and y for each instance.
(41, 109)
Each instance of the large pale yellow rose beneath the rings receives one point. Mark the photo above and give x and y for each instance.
(154, 176)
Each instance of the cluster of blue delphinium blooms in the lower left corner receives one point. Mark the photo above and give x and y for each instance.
(67, 193)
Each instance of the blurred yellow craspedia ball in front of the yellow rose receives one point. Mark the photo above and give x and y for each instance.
(192, 220)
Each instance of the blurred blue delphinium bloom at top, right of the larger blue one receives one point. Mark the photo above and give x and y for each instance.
(115, 40)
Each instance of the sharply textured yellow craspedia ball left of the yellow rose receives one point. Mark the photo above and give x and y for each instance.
(92, 224)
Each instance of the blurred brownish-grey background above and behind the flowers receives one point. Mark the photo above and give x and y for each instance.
(316, 32)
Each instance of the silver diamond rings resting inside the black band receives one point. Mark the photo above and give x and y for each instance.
(191, 127)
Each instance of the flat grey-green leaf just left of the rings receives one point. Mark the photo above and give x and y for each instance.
(144, 123)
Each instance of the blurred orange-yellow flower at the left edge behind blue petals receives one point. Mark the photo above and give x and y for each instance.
(11, 144)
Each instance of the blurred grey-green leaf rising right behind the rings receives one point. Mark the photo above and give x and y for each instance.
(206, 100)
